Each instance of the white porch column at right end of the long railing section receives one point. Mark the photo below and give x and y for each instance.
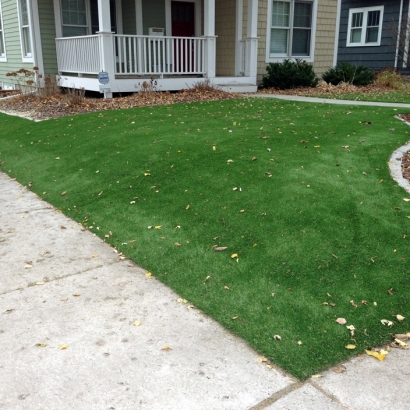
(209, 35)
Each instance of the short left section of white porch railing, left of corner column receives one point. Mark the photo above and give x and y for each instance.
(79, 54)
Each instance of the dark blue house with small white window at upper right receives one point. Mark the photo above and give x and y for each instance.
(374, 33)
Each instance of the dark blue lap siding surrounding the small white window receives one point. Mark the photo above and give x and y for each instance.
(377, 57)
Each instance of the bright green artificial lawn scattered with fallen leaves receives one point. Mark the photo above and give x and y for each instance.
(301, 193)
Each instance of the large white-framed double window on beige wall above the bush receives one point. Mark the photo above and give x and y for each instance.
(291, 29)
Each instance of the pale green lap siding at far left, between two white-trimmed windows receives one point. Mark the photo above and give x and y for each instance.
(12, 42)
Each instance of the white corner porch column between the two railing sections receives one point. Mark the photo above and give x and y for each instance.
(107, 57)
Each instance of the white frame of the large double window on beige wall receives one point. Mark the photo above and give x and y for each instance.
(270, 58)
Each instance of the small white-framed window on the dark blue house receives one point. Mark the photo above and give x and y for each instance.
(365, 26)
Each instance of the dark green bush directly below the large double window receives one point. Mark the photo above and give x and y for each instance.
(289, 74)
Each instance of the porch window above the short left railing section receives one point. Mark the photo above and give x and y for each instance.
(74, 18)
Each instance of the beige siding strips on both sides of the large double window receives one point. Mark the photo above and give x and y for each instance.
(325, 36)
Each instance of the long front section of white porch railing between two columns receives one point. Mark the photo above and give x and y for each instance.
(146, 55)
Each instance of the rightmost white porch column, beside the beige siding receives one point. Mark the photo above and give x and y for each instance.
(251, 51)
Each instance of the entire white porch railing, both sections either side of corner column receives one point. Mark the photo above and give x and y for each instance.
(133, 55)
